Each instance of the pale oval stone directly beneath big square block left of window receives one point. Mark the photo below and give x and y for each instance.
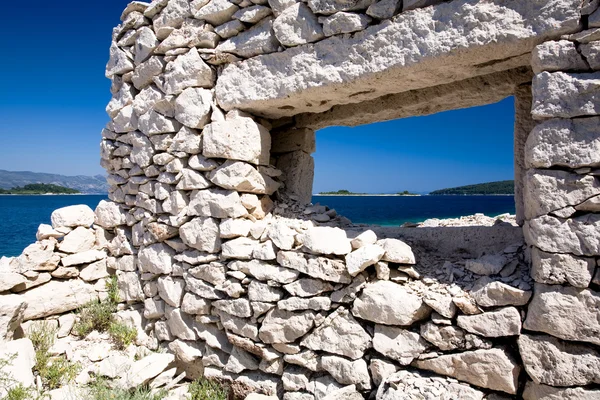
(242, 177)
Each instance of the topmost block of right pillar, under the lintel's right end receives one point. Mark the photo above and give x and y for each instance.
(554, 56)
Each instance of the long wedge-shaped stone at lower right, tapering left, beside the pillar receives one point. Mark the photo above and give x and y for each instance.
(492, 369)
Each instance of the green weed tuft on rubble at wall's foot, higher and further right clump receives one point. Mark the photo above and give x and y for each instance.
(99, 316)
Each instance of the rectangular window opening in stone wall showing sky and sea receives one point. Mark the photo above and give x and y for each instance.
(399, 172)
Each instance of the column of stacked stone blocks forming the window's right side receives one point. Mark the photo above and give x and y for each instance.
(562, 197)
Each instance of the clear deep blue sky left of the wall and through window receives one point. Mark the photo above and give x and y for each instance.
(54, 94)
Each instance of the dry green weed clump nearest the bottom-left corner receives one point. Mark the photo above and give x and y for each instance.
(54, 371)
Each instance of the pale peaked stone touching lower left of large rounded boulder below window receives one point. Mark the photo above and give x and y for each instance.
(340, 334)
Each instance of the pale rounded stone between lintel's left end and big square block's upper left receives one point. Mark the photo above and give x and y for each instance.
(193, 106)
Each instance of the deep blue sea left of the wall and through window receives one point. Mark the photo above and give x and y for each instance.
(21, 215)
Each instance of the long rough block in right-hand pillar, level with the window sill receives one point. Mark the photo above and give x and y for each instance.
(579, 235)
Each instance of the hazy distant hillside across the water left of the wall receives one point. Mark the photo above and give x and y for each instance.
(84, 184)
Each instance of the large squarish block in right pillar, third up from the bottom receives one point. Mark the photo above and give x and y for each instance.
(565, 312)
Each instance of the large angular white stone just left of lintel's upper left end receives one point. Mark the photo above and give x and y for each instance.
(187, 70)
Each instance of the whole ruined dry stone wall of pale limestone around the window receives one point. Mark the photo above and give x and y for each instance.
(221, 261)
